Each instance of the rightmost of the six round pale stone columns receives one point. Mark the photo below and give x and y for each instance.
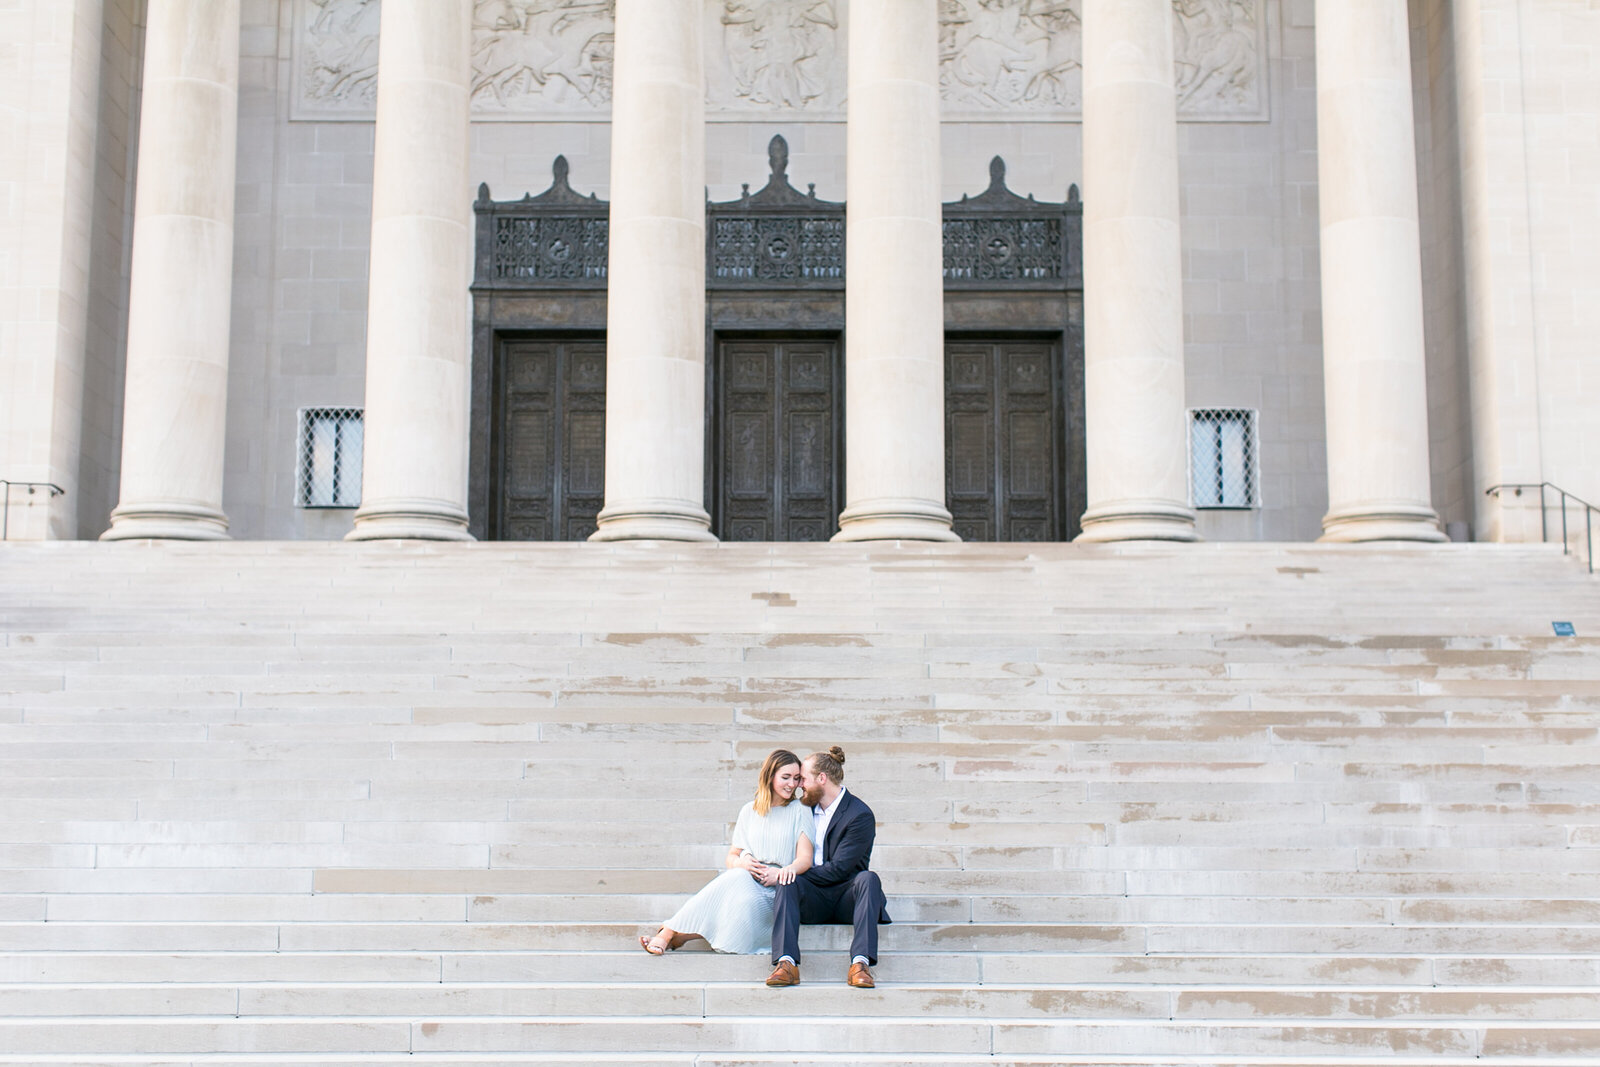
(1372, 278)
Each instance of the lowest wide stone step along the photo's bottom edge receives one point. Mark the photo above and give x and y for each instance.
(783, 1034)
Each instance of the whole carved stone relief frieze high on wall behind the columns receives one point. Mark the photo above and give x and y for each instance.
(1001, 60)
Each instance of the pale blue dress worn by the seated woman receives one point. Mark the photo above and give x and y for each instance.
(735, 913)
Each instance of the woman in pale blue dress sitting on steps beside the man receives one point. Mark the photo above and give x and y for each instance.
(772, 845)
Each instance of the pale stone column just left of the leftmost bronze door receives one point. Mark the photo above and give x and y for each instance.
(418, 311)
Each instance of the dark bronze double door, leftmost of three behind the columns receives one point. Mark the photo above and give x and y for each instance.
(550, 441)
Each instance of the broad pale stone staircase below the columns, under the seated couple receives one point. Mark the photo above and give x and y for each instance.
(396, 804)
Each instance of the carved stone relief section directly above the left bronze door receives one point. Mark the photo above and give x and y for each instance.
(543, 54)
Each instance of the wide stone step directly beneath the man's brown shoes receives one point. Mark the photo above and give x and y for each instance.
(825, 996)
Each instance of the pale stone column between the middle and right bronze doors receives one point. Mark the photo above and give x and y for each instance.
(895, 279)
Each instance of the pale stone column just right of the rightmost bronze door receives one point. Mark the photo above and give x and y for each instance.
(1134, 316)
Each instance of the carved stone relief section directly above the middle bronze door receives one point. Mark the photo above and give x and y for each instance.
(778, 50)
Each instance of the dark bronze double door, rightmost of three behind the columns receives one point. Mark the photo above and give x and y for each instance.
(1004, 441)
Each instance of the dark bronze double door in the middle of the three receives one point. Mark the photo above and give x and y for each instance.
(777, 441)
